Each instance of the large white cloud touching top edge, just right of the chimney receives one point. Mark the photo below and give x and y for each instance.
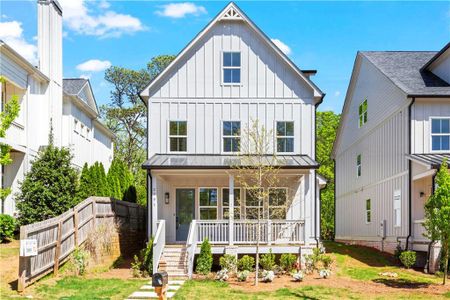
(96, 19)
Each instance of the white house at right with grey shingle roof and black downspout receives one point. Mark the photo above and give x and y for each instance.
(393, 136)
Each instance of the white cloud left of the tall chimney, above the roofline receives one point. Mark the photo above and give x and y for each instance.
(12, 34)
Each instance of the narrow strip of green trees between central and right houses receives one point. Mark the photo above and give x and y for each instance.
(327, 125)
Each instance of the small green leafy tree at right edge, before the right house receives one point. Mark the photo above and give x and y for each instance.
(437, 214)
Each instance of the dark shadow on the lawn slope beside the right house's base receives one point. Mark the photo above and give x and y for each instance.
(366, 255)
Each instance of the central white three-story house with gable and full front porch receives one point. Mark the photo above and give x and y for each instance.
(227, 76)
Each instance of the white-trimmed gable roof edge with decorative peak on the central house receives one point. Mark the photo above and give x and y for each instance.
(233, 13)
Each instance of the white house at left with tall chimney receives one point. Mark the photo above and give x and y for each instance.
(42, 100)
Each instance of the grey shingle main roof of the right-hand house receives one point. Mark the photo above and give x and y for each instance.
(403, 68)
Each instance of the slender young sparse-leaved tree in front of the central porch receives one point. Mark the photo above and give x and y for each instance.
(256, 171)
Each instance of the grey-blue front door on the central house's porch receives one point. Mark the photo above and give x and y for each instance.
(185, 212)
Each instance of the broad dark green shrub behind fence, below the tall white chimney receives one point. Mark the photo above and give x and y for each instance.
(50, 187)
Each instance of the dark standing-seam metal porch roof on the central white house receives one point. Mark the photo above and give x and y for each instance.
(211, 161)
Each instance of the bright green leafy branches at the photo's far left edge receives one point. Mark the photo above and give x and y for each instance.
(7, 116)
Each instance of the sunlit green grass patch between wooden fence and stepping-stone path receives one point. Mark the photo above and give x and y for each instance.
(75, 288)
